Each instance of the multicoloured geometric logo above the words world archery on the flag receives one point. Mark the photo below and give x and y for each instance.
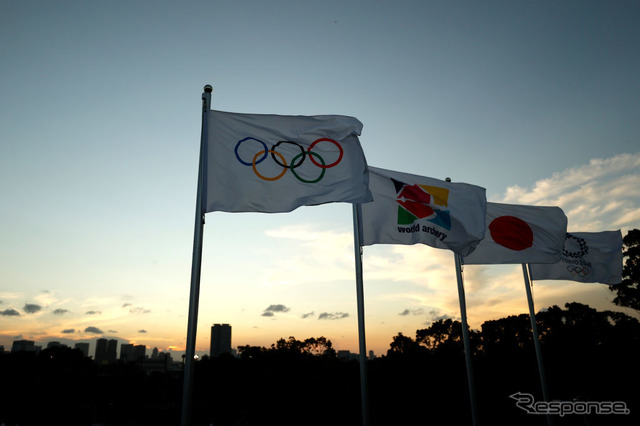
(422, 202)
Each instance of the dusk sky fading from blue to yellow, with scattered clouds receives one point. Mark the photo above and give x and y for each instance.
(537, 102)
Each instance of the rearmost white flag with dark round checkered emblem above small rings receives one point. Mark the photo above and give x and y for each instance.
(588, 257)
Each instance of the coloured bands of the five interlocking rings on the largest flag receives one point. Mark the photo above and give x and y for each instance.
(296, 161)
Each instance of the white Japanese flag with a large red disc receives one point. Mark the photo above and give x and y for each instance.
(521, 234)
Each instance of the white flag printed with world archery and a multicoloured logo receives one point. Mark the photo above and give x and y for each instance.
(411, 209)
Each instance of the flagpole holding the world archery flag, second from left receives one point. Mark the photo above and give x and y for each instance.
(364, 387)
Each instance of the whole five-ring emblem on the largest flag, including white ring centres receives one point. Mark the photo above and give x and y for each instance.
(289, 155)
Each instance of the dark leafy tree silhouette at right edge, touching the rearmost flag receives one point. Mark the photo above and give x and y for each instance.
(628, 292)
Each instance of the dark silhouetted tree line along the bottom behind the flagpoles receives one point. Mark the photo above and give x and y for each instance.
(588, 355)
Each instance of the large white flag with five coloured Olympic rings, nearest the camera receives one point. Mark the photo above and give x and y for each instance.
(275, 163)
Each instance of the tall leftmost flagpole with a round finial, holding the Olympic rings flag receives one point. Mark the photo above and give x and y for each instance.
(196, 265)
